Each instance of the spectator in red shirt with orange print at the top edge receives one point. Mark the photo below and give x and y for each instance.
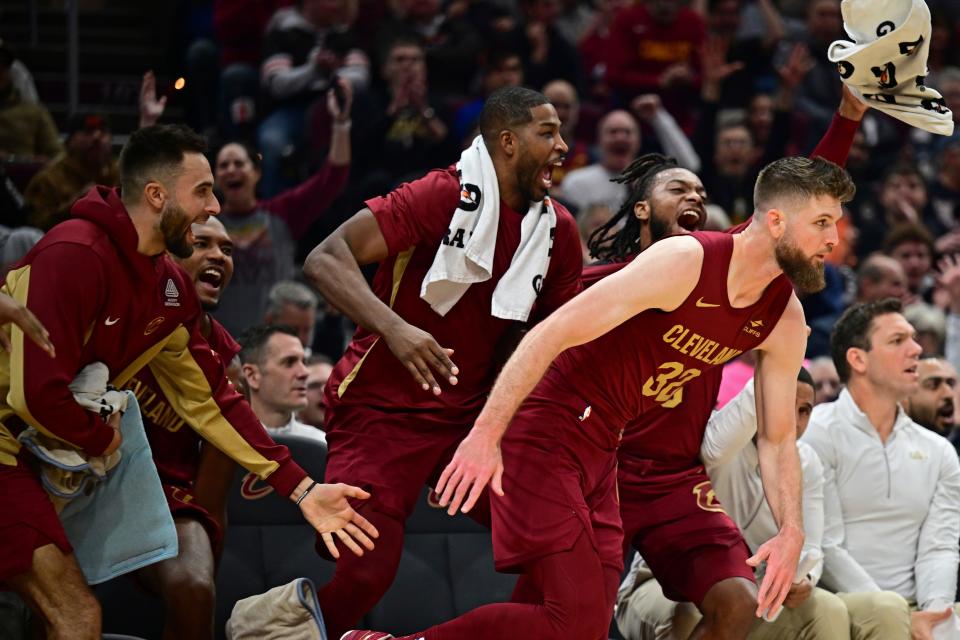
(655, 48)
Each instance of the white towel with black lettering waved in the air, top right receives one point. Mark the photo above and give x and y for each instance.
(886, 65)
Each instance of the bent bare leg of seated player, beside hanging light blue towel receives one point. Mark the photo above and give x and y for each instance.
(186, 584)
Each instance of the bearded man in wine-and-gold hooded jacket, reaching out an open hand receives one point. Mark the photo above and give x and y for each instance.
(103, 286)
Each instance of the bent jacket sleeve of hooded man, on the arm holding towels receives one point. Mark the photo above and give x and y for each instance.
(66, 301)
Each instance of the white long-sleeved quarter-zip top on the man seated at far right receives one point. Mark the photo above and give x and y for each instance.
(892, 510)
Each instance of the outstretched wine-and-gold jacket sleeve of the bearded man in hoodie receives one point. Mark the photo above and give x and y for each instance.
(194, 381)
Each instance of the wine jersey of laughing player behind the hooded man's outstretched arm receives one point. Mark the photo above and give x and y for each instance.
(176, 446)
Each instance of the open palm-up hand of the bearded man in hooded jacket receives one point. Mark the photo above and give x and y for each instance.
(326, 508)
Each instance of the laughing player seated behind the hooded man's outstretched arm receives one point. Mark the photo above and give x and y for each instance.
(195, 475)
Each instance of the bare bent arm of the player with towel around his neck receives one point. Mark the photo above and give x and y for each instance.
(333, 267)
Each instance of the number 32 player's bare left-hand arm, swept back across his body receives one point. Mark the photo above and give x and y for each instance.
(637, 287)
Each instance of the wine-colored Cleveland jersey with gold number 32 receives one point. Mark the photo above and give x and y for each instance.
(638, 373)
